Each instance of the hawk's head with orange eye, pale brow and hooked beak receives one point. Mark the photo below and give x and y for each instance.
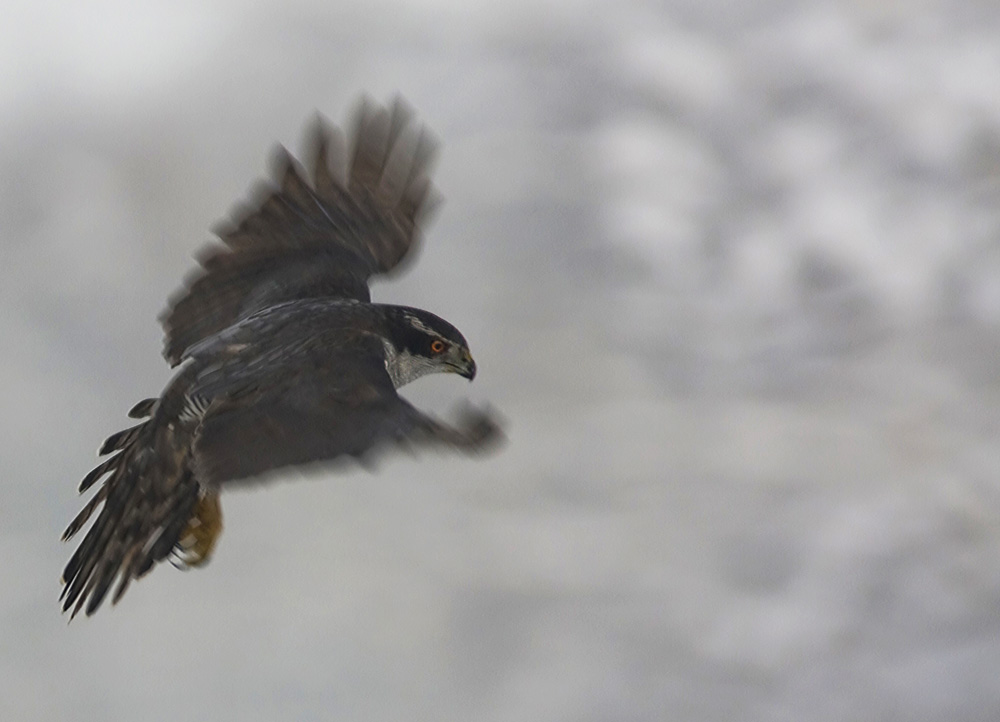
(420, 343)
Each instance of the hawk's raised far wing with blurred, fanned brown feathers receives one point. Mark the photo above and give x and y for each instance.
(325, 236)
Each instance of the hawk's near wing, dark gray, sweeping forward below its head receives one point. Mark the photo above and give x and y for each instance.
(314, 404)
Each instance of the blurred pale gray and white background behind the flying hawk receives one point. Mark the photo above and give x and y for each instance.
(730, 270)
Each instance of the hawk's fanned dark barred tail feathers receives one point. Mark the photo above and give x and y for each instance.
(148, 496)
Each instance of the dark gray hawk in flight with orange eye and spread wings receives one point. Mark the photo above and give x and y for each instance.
(284, 359)
